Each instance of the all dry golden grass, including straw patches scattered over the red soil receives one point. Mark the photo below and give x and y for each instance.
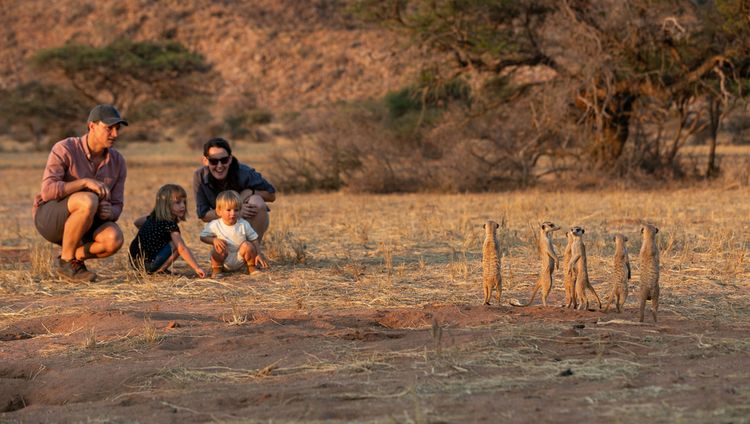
(340, 251)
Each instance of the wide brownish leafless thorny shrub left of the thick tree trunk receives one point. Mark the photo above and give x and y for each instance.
(362, 148)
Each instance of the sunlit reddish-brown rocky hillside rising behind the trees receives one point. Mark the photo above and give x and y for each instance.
(288, 53)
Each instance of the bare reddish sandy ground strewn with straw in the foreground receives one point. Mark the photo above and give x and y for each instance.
(384, 365)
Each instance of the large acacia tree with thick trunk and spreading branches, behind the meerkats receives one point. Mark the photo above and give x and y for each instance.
(617, 58)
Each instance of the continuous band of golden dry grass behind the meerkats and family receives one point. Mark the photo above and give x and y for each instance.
(338, 250)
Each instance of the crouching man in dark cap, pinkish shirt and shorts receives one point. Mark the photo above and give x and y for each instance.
(82, 195)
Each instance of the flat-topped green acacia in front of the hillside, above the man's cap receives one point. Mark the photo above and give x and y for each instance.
(128, 73)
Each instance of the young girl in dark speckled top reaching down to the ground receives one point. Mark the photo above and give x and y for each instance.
(158, 241)
